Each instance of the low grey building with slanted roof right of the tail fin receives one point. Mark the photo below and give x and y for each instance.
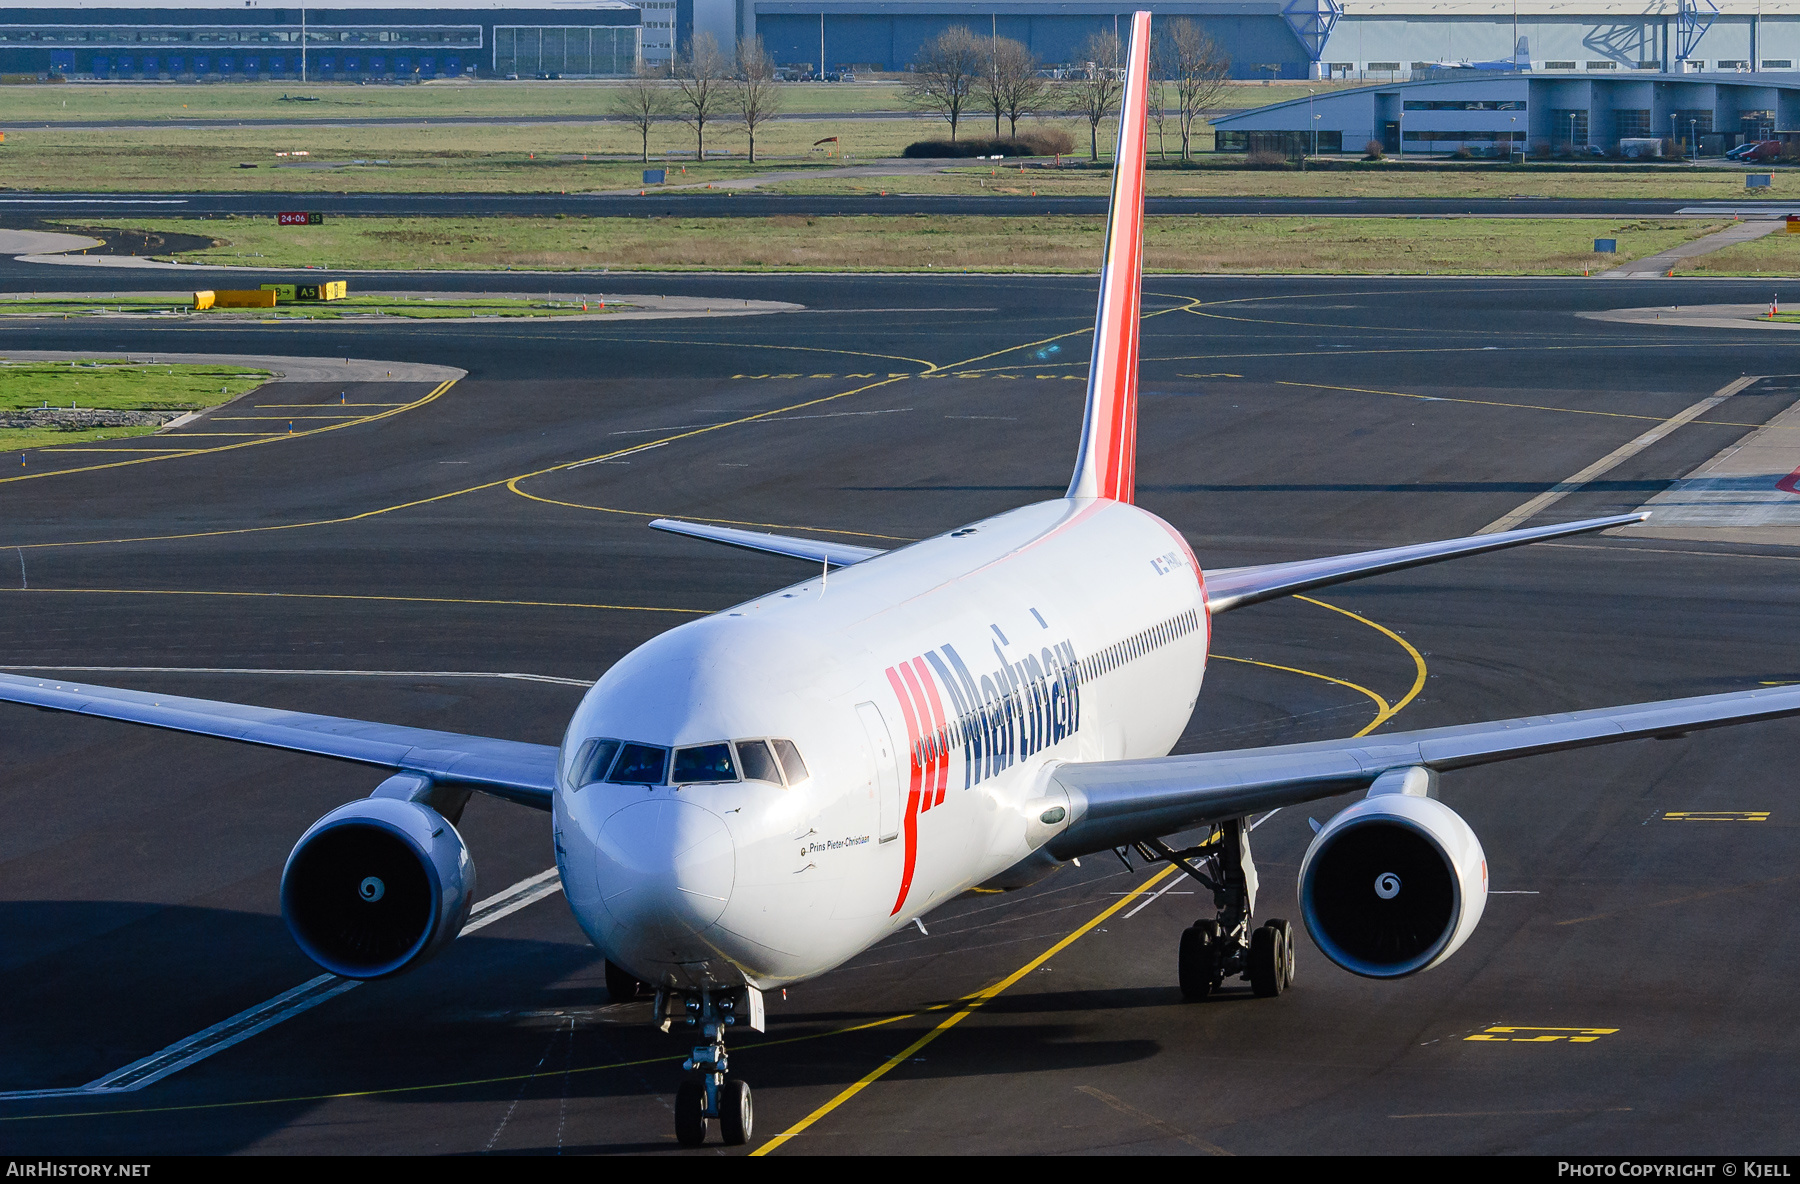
(1507, 112)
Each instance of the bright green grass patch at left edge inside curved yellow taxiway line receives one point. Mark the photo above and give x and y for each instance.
(112, 384)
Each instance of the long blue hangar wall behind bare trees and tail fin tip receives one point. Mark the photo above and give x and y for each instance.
(888, 37)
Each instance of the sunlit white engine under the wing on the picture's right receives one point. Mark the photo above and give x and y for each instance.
(1392, 886)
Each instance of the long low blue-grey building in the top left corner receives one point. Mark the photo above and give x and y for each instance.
(400, 40)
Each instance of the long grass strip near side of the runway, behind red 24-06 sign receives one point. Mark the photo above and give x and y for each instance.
(885, 244)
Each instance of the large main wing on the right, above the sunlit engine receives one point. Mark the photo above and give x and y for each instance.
(1131, 802)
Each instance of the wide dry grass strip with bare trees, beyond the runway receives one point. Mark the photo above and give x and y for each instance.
(604, 157)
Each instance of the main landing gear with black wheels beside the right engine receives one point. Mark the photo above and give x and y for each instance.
(1214, 949)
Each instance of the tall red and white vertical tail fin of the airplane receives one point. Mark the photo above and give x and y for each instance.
(1110, 436)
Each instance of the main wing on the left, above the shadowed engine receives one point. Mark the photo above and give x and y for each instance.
(503, 767)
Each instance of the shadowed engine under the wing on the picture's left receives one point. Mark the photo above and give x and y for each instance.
(377, 888)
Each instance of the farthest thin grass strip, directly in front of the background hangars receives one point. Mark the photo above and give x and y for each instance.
(490, 100)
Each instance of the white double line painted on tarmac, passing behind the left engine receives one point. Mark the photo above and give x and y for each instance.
(285, 1007)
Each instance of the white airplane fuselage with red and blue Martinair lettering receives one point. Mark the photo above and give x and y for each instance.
(928, 692)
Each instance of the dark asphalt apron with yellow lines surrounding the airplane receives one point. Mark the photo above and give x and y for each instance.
(399, 561)
